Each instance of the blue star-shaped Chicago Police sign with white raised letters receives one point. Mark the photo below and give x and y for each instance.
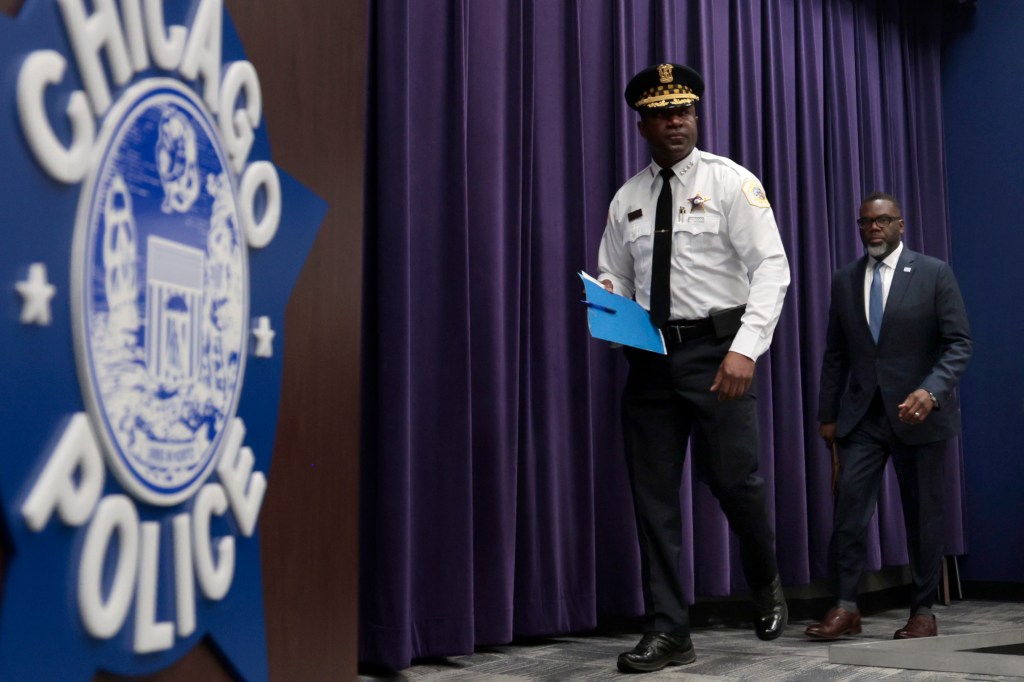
(150, 248)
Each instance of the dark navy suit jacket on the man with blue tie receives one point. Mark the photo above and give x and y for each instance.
(925, 343)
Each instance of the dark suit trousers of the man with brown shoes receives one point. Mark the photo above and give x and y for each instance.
(920, 471)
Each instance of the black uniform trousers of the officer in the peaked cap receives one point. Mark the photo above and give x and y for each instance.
(666, 400)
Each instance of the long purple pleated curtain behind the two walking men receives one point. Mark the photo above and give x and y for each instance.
(494, 494)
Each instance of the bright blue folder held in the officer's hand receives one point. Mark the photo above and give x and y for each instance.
(620, 320)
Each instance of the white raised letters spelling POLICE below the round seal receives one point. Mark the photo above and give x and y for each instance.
(71, 485)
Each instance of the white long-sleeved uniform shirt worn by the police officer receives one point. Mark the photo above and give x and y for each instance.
(727, 247)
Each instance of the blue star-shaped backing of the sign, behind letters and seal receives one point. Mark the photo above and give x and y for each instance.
(41, 632)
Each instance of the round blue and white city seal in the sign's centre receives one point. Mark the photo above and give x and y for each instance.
(161, 292)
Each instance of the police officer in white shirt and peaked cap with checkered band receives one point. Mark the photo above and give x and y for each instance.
(694, 240)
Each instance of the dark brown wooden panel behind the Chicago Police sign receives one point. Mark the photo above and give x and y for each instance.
(311, 58)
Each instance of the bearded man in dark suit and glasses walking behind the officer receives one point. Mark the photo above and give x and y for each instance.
(898, 345)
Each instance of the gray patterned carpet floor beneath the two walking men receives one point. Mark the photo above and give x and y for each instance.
(726, 652)
